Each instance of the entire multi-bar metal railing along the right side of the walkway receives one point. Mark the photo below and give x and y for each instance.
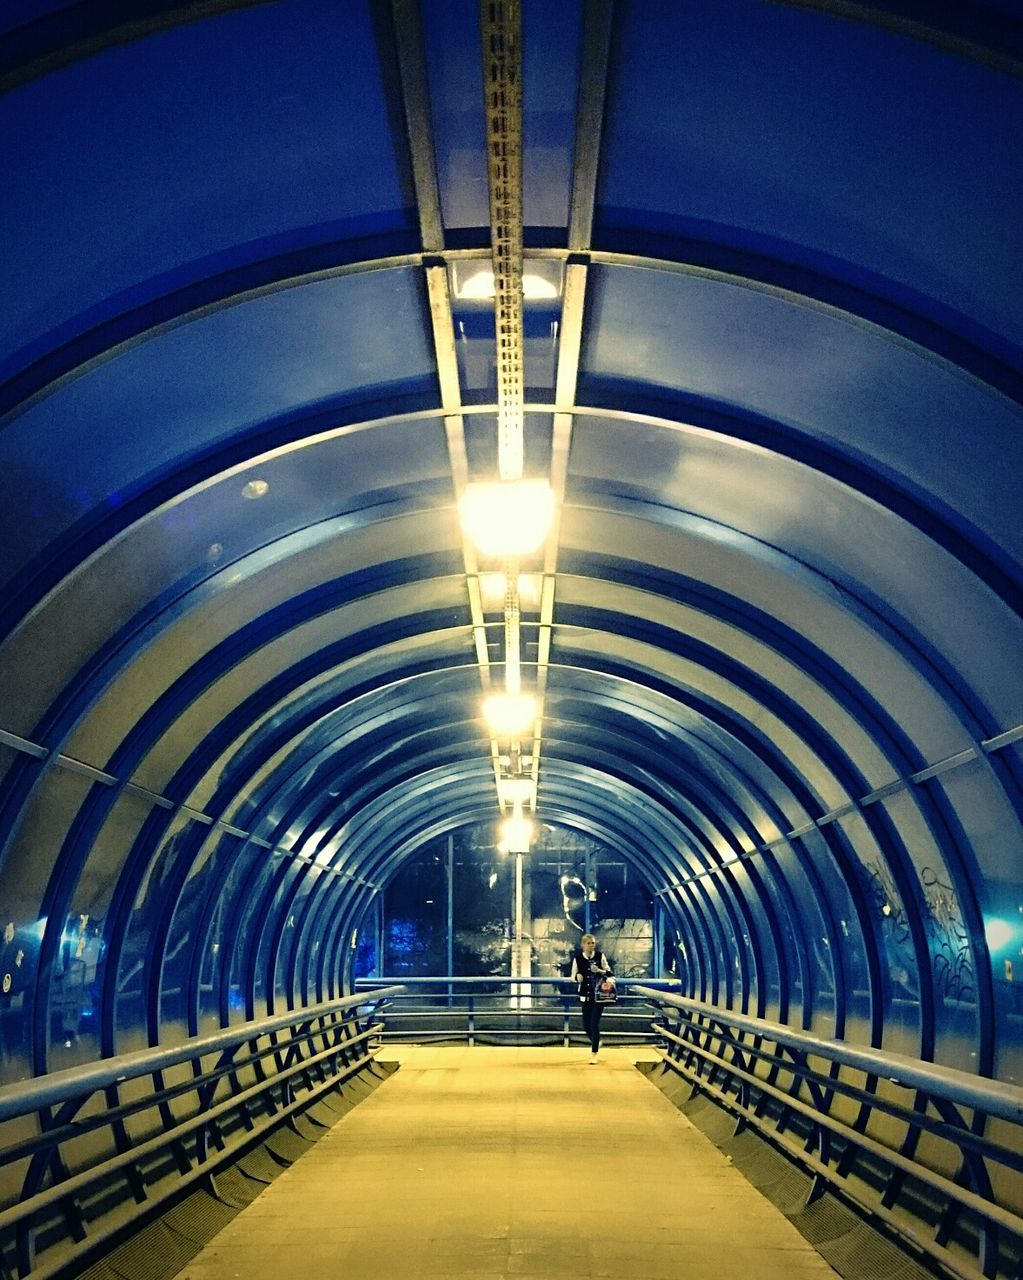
(928, 1154)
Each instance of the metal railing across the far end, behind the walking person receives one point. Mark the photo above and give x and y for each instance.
(508, 1011)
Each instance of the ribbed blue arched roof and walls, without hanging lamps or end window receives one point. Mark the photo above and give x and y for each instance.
(775, 382)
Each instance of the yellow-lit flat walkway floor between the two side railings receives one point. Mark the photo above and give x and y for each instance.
(511, 1163)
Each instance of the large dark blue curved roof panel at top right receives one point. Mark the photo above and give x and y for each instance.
(793, 166)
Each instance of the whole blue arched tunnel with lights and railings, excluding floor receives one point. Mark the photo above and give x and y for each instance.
(481, 473)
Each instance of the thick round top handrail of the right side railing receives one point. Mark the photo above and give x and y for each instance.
(994, 1098)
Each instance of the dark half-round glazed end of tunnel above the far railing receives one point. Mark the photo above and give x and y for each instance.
(451, 909)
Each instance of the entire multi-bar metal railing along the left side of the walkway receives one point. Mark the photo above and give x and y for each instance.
(92, 1153)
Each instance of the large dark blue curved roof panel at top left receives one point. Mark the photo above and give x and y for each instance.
(234, 186)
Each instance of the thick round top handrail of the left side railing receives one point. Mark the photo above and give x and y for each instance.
(43, 1091)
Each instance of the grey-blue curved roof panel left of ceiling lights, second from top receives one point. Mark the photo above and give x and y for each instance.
(327, 353)
